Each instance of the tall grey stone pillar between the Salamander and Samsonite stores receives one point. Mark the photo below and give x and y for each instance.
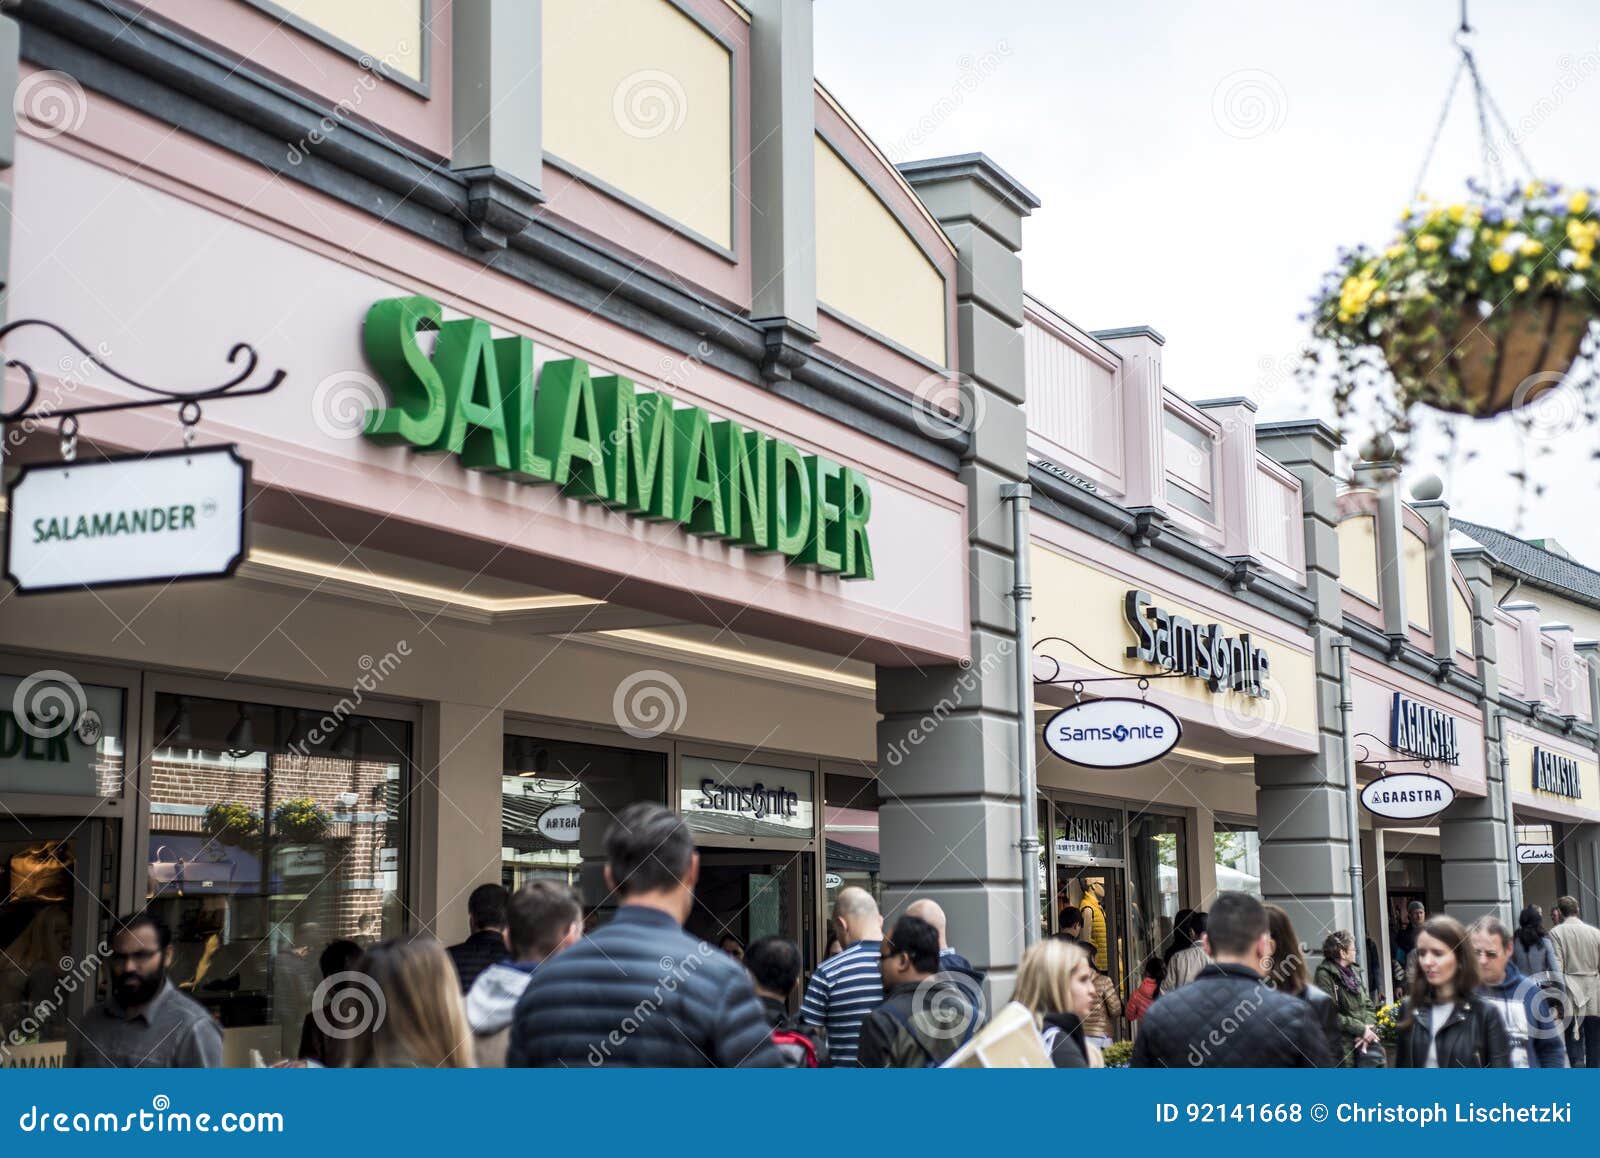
(948, 745)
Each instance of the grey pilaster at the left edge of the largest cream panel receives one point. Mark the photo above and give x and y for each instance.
(497, 114)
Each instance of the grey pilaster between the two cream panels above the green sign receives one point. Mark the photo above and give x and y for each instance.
(783, 172)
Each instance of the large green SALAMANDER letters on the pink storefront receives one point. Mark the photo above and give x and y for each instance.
(604, 441)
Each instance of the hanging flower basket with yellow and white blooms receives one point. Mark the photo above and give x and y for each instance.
(1476, 308)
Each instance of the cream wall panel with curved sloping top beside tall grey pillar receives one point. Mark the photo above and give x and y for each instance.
(866, 265)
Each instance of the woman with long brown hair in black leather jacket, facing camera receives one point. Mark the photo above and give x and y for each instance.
(1442, 1023)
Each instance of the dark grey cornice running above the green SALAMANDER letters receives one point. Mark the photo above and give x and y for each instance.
(175, 78)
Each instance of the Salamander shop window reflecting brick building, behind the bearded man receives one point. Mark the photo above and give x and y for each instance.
(273, 833)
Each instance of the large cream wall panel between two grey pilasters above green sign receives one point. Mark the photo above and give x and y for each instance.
(639, 95)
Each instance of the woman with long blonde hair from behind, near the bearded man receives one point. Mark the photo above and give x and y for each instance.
(407, 1013)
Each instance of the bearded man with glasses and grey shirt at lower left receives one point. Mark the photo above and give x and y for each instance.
(145, 1023)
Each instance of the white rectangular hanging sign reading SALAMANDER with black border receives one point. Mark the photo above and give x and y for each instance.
(135, 519)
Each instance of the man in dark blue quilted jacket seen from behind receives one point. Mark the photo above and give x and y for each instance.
(641, 991)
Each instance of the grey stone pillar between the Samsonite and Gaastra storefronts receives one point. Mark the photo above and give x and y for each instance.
(1302, 801)
